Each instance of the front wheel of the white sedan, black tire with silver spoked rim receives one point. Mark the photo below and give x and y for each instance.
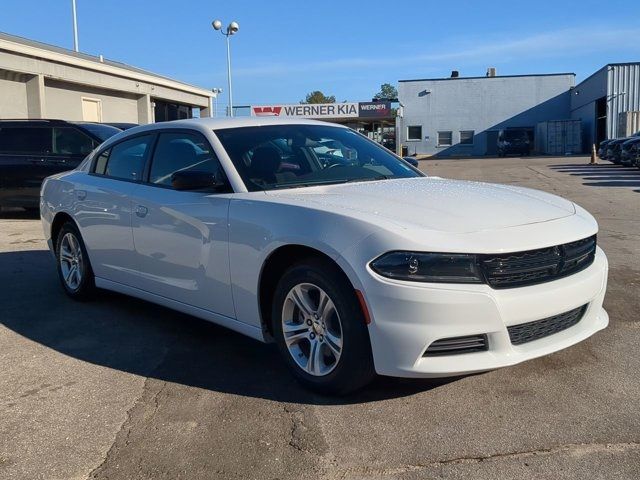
(320, 329)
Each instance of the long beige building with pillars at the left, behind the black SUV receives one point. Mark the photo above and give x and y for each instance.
(43, 81)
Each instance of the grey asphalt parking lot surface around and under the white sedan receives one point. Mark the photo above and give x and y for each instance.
(118, 388)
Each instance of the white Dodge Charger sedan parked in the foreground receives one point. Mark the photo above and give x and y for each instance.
(350, 259)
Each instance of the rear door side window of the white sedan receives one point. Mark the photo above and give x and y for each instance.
(124, 160)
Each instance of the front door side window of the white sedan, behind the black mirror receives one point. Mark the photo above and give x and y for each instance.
(179, 152)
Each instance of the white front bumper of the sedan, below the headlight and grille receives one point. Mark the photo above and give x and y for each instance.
(407, 317)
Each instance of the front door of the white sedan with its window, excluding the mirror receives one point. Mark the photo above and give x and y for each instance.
(181, 237)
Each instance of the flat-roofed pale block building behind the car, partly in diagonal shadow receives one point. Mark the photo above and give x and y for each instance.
(463, 116)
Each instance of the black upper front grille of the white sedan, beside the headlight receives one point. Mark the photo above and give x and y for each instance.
(537, 266)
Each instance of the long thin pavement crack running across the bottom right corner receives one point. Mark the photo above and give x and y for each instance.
(571, 448)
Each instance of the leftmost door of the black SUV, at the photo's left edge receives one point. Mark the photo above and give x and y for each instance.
(24, 152)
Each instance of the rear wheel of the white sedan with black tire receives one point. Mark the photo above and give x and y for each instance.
(85, 287)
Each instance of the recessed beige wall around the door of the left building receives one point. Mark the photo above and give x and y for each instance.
(64, 100)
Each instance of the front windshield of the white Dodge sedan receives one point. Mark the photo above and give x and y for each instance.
(288, 156)
